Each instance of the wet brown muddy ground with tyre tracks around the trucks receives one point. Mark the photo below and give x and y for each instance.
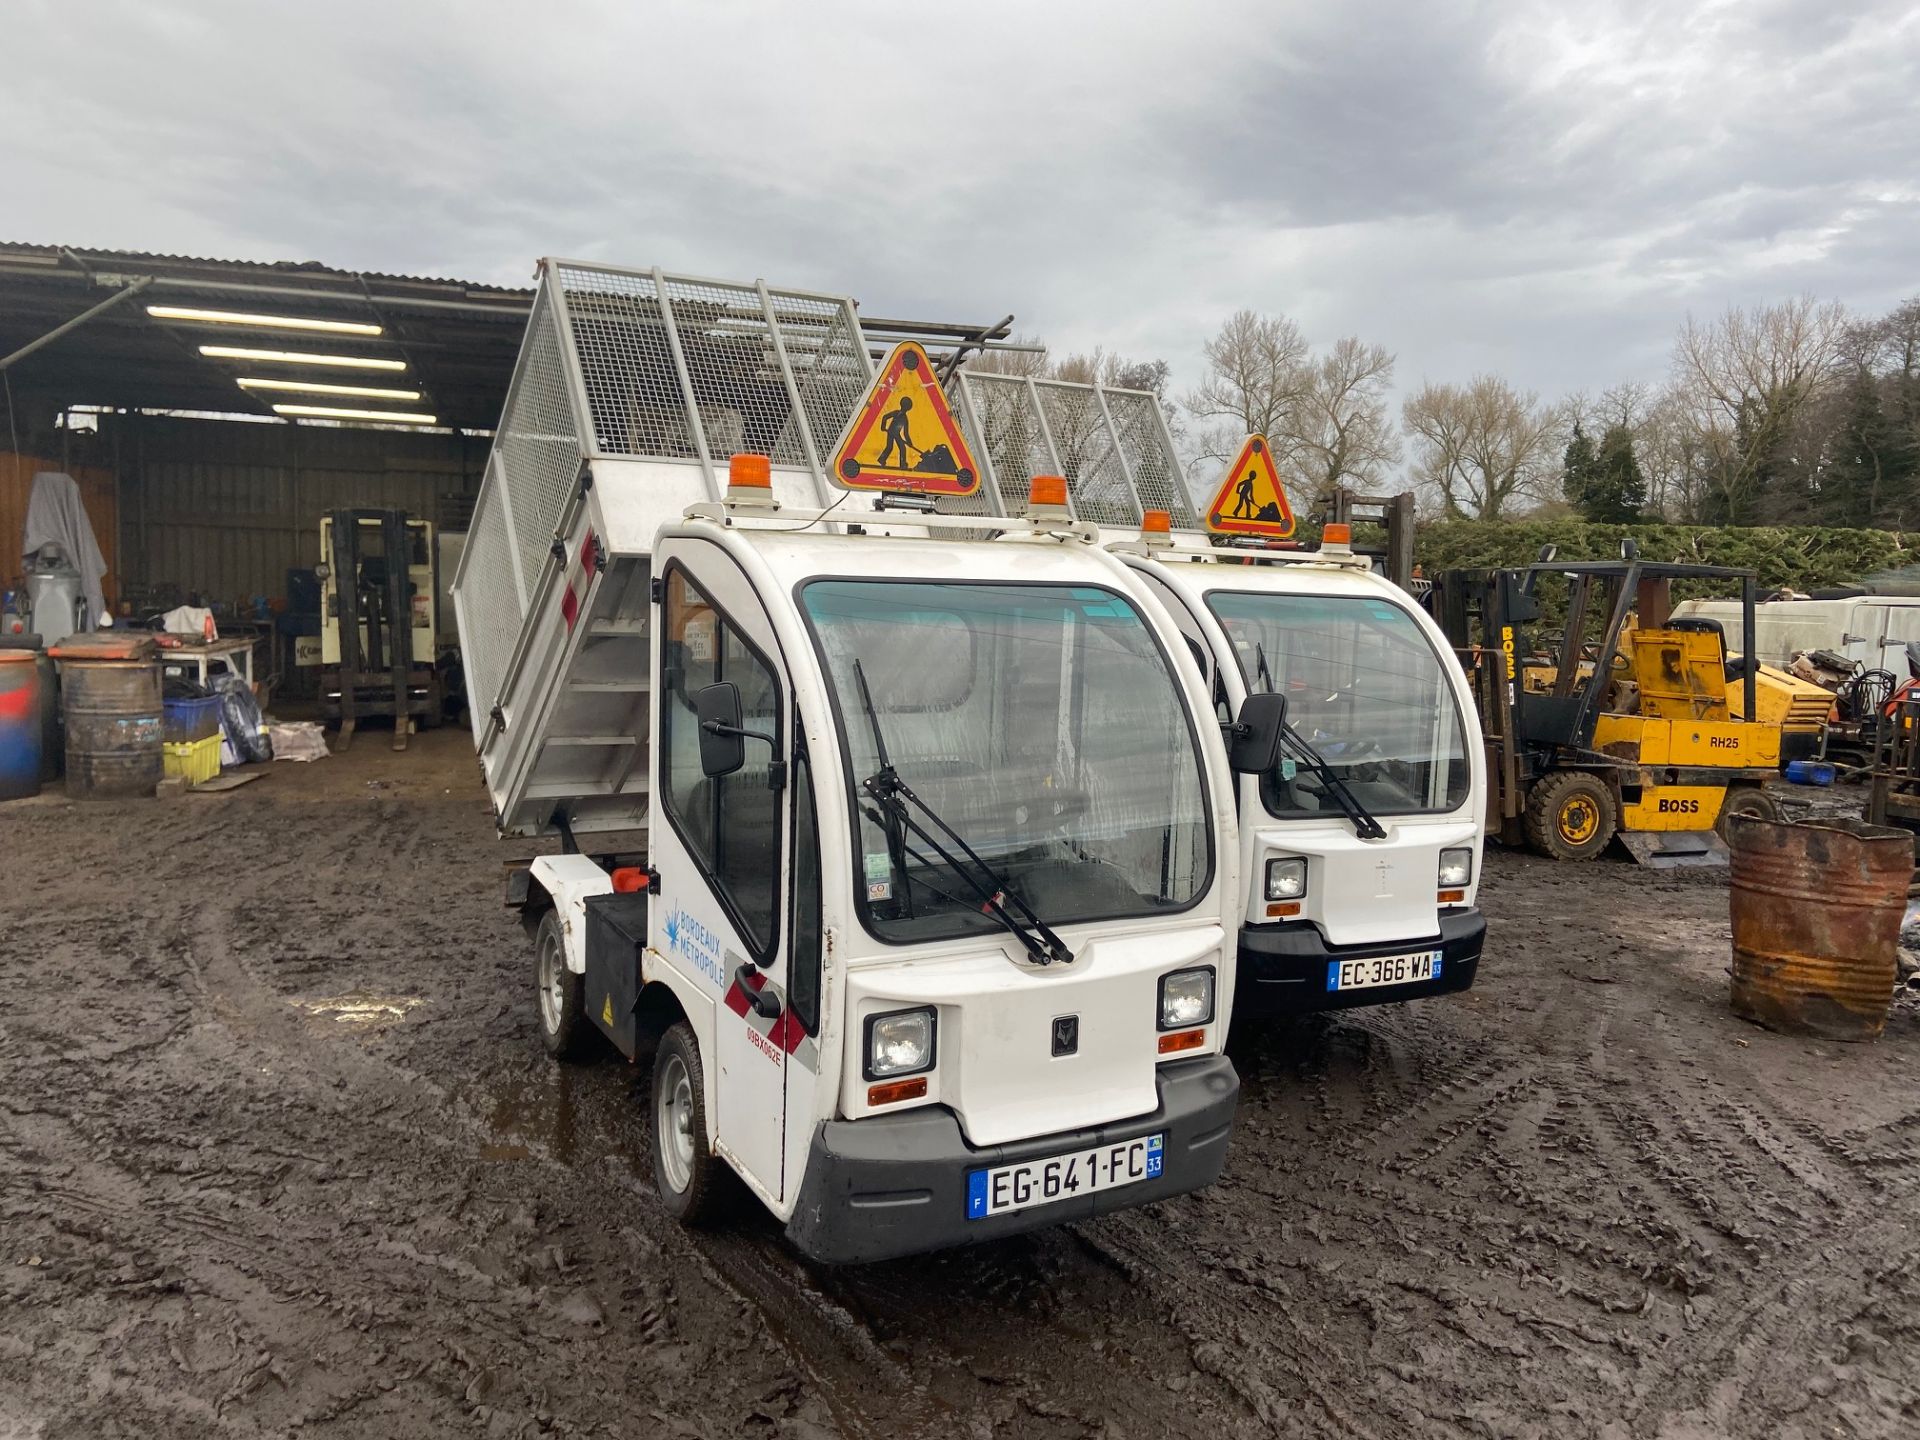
(279, 1151)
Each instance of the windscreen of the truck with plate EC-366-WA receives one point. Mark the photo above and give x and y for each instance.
(1364, 688)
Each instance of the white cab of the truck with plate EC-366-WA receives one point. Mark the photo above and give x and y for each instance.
(1362, 846)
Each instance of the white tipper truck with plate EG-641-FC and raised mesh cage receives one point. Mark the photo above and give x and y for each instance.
(932, 928)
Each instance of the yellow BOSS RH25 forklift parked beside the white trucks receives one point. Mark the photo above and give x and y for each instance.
(1629, 725)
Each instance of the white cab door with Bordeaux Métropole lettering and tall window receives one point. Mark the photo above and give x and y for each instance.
(723, 850)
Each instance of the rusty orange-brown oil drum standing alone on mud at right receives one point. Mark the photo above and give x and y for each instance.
(1817, 923)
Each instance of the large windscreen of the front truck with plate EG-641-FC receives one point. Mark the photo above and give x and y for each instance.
(1042, 723)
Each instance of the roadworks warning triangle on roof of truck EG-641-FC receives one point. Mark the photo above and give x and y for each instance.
(905, 435)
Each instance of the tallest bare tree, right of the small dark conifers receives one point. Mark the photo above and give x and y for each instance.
(1746, 383)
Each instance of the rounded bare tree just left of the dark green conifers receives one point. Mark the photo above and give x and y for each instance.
(1481, 448)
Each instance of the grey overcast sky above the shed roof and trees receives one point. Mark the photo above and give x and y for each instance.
(1537, 189)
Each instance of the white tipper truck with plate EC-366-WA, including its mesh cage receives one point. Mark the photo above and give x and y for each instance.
(1360, 848)
